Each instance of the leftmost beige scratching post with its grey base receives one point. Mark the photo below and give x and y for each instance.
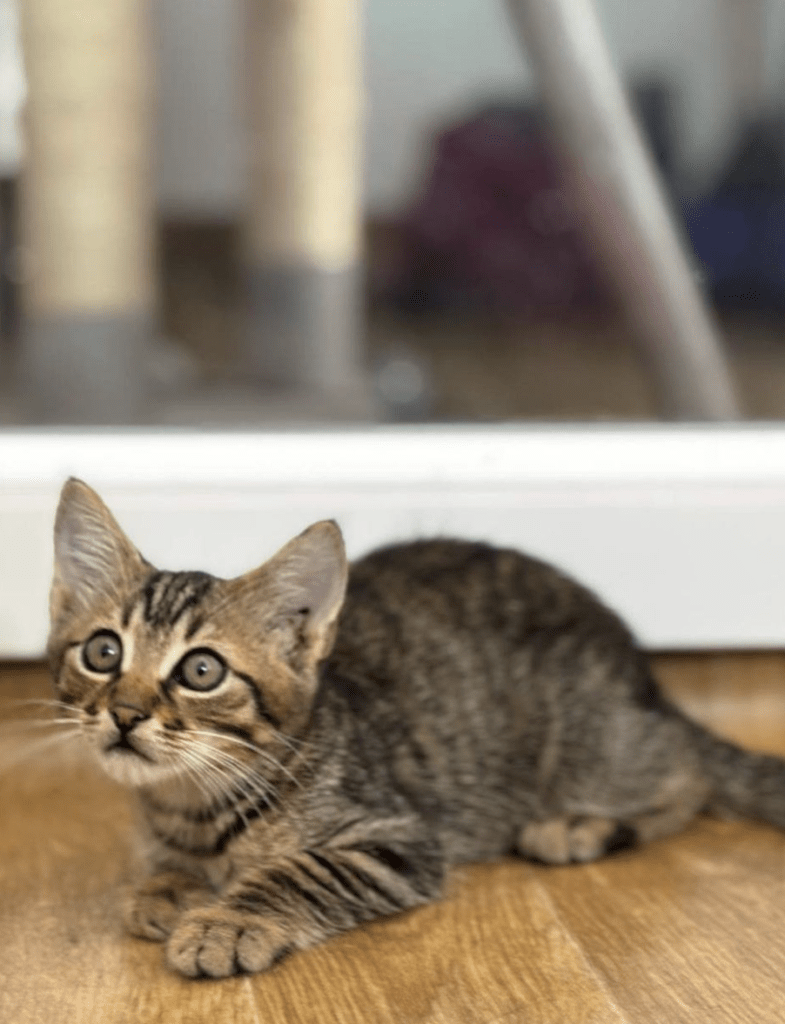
(88, 210)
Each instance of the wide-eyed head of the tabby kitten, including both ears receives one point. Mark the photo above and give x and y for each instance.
(185, 675)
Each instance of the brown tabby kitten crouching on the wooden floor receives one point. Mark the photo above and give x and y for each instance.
(314, 747)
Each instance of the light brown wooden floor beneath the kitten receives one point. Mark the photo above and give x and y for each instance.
(691, 929)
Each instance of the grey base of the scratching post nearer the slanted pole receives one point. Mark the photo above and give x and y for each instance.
(302, 330)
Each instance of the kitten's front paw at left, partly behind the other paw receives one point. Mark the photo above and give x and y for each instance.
(152, 911)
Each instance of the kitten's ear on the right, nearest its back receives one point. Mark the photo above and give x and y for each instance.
(302, 589)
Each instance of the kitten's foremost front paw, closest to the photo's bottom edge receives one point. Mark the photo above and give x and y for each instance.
(216, 943)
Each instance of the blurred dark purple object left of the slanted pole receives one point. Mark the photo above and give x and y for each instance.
(495, 228)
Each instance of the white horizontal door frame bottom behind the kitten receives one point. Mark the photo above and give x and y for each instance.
(680, 529)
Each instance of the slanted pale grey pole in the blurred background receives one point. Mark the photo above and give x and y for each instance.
(619, 196)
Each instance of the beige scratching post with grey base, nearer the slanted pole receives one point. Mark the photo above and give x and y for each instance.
(302, 239)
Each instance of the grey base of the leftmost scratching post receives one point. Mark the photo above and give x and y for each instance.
(88, 369)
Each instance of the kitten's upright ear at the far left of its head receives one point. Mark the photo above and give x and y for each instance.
(93, 557)
